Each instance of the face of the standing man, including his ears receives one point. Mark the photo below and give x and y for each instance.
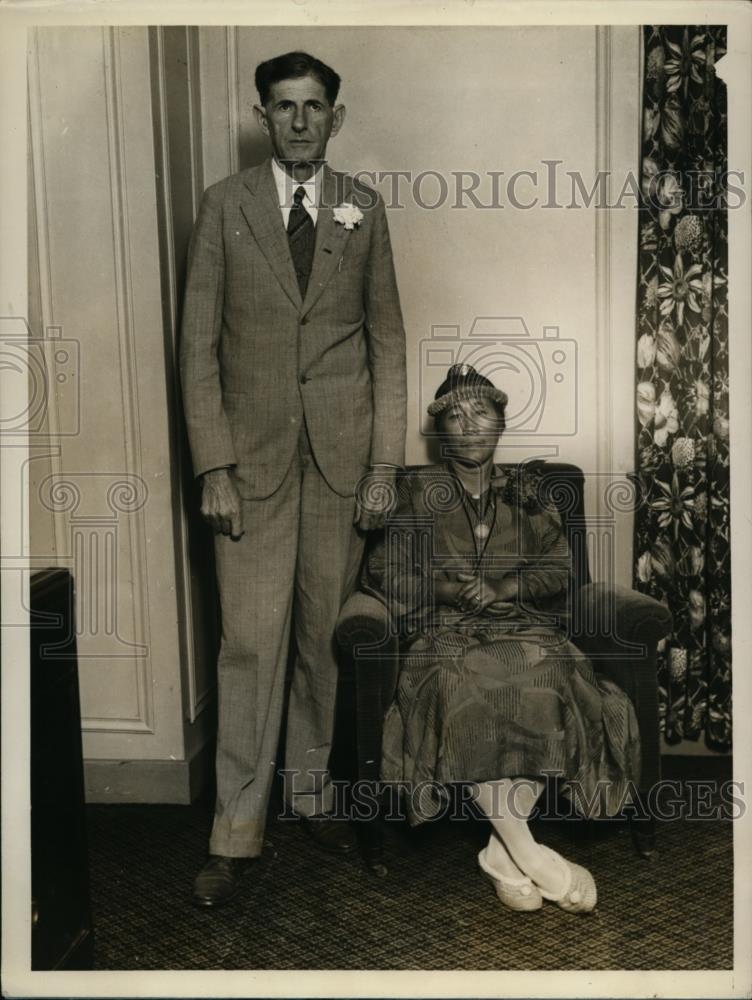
(299, 119)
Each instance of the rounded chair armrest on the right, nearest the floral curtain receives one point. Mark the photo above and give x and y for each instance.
(620, 621)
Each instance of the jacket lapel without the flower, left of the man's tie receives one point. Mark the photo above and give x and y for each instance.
(260, 206)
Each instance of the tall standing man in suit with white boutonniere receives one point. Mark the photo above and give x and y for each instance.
(292, 365)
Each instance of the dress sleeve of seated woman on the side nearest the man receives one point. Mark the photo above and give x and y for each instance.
(396, 568)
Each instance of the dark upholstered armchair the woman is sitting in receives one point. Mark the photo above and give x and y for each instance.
(616, 627)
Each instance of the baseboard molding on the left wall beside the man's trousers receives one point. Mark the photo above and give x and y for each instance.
(165, 782)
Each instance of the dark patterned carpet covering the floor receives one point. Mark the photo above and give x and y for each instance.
(302, 909)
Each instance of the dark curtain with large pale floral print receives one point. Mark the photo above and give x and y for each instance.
(682, 542)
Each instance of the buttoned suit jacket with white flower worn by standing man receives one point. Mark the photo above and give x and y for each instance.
(256, 359)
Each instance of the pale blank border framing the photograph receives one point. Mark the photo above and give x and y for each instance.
(737, 72)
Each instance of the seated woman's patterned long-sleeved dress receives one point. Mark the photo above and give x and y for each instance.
(502, 693)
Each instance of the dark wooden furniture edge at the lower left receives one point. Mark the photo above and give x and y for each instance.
(61, 932)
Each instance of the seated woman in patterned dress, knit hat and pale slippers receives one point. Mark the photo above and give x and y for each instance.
(490, 690)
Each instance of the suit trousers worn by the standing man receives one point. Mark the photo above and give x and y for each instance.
(296, 562)
